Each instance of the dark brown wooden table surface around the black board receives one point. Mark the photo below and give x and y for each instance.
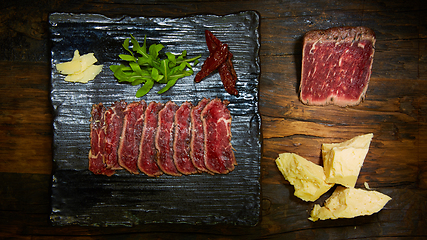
(395, 110)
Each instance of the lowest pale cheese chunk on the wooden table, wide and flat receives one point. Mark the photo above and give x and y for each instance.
(349, 203)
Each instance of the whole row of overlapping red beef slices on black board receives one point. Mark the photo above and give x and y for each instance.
(159, 138)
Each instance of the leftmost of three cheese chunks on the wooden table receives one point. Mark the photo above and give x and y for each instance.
(307, 177)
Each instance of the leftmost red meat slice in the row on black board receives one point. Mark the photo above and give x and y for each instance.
(97, 134)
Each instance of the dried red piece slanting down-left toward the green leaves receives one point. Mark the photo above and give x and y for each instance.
(212, 62)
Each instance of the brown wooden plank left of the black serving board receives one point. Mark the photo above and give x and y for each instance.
(26, 118)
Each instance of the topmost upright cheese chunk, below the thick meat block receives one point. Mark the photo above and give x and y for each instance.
(342, 161)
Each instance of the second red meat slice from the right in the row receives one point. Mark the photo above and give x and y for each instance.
(197, 144)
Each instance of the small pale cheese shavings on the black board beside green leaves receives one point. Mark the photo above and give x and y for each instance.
(80, 68)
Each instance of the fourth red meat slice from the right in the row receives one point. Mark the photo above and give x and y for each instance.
(164, 139)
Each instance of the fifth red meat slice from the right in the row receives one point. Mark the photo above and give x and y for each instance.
(147, 149)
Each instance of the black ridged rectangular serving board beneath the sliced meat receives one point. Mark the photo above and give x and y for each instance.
(82, 198)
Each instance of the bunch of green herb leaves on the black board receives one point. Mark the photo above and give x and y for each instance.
(147, 67)
